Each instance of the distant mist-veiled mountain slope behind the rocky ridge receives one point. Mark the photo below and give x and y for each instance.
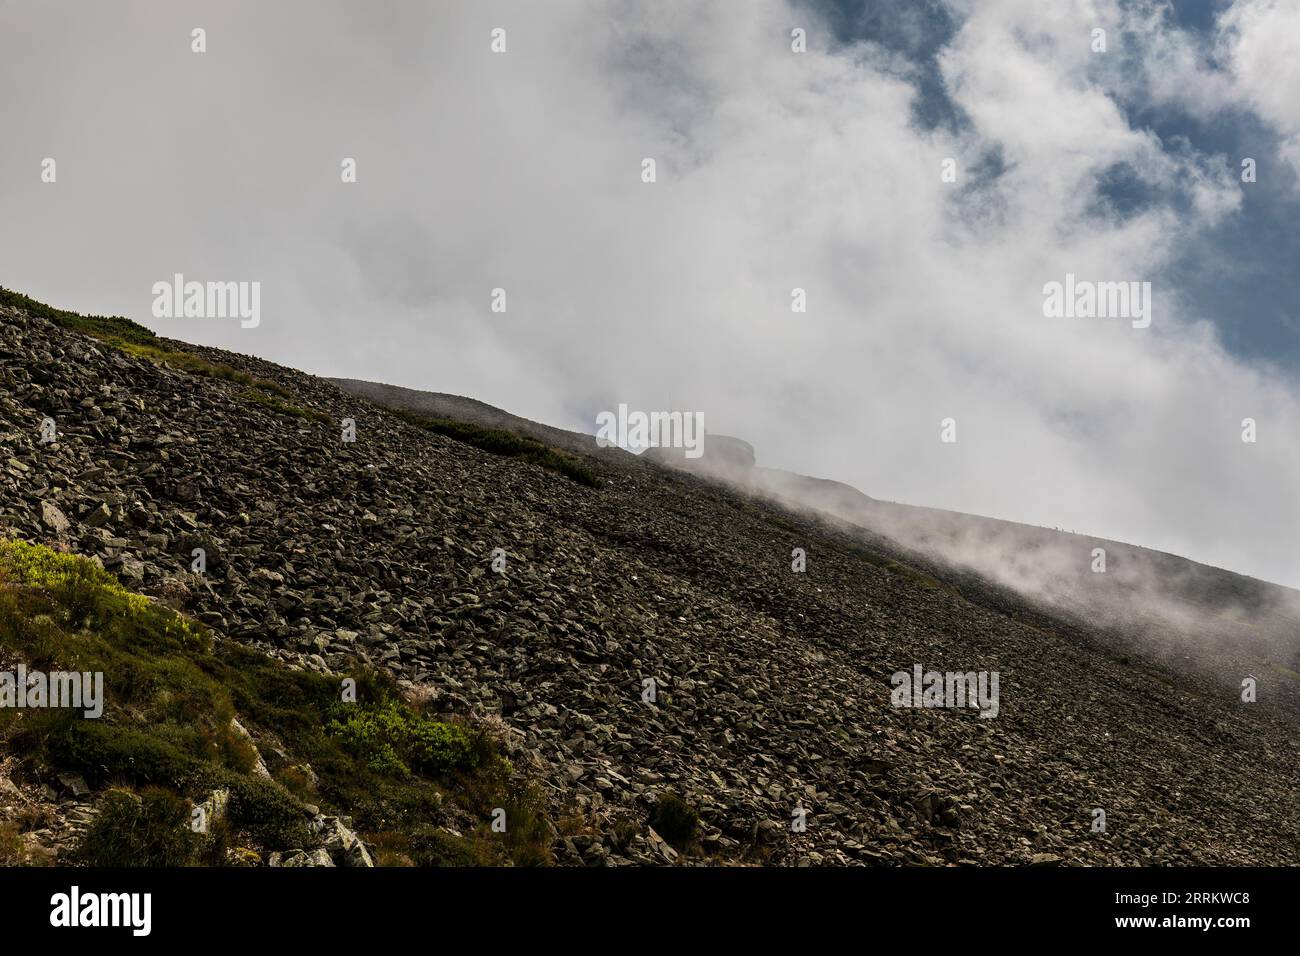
(1150, 603)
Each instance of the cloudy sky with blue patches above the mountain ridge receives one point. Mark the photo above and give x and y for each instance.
(775, 171)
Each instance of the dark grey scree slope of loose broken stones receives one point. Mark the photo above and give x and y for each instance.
(772, 686)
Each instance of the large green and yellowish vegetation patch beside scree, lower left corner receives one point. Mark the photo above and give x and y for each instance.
(167, 738)
